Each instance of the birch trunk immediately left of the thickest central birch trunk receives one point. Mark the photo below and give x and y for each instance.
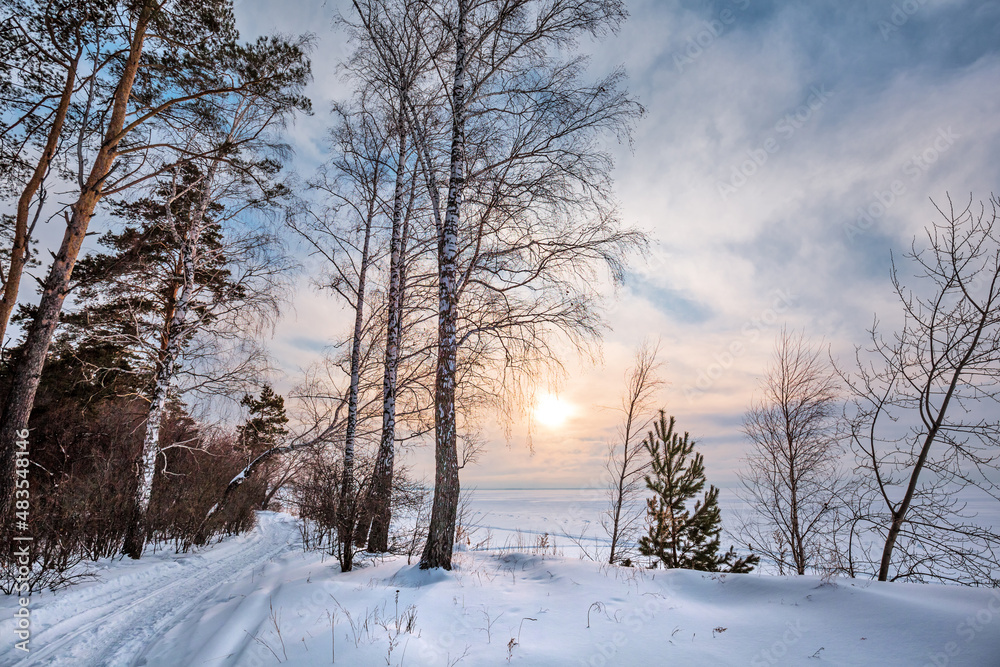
(378, 504)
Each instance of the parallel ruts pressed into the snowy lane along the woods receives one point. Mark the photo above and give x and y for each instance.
(118, 632)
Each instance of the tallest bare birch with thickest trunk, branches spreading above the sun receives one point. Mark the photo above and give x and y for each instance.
(522, 157)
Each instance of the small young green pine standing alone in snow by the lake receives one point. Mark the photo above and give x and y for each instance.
(680, 537)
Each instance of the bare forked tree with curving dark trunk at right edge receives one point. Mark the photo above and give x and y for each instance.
(922, 421)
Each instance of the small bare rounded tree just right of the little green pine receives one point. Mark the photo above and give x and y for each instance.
(791, 479)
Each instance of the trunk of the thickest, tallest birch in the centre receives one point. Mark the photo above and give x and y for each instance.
(444, 511)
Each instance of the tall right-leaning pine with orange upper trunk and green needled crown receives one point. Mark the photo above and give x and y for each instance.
(169, 64)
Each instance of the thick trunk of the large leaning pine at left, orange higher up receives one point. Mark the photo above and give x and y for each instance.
(28, 372)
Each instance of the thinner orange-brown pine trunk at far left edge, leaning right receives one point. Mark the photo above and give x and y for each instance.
(19, 250)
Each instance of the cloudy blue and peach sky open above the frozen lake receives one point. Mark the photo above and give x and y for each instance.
(788, 148)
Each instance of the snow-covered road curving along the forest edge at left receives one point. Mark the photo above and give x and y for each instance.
(117, 621)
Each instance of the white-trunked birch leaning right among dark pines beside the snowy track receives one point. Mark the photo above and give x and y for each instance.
(229, 289)
